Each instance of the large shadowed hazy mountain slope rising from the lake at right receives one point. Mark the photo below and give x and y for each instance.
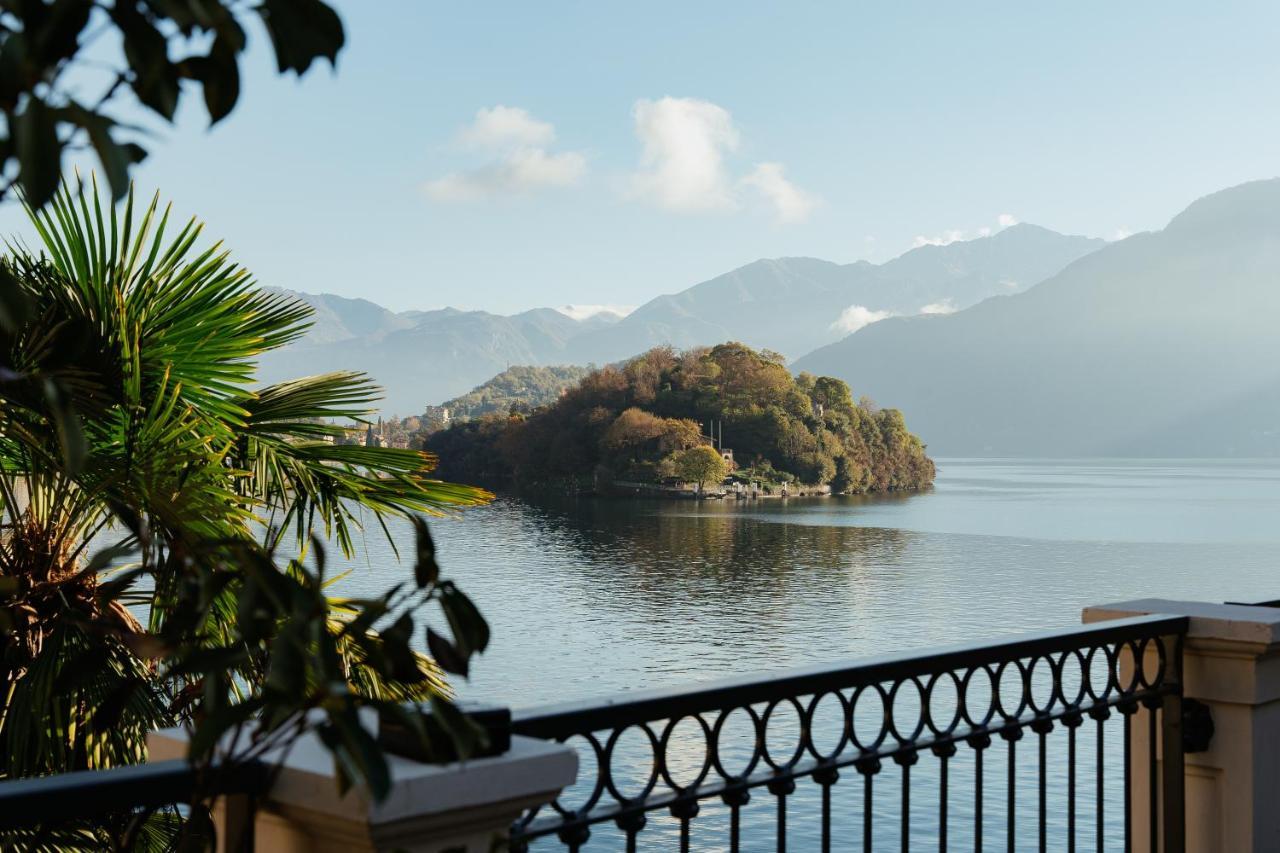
(1160, 345)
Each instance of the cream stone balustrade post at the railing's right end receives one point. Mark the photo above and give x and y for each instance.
(1232, 665)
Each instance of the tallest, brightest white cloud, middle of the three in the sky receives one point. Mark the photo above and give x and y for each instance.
(684, 143)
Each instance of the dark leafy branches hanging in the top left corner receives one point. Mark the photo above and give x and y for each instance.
(45, 72)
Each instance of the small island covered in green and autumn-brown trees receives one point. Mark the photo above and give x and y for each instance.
(703, 416)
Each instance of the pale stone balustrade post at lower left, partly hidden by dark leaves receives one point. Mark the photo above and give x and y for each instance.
(464, 808)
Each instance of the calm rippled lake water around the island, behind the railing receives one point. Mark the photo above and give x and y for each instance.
(591, 597)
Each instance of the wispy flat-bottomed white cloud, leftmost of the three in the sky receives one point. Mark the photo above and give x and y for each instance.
(524, 163)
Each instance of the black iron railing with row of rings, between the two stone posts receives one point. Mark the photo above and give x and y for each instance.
(656, 761)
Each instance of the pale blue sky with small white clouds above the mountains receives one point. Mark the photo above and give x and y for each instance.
(511, 156)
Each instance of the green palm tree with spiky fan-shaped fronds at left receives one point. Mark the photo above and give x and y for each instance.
(127, 391)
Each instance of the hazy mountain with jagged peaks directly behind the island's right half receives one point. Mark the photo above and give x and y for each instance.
(794, 304)
